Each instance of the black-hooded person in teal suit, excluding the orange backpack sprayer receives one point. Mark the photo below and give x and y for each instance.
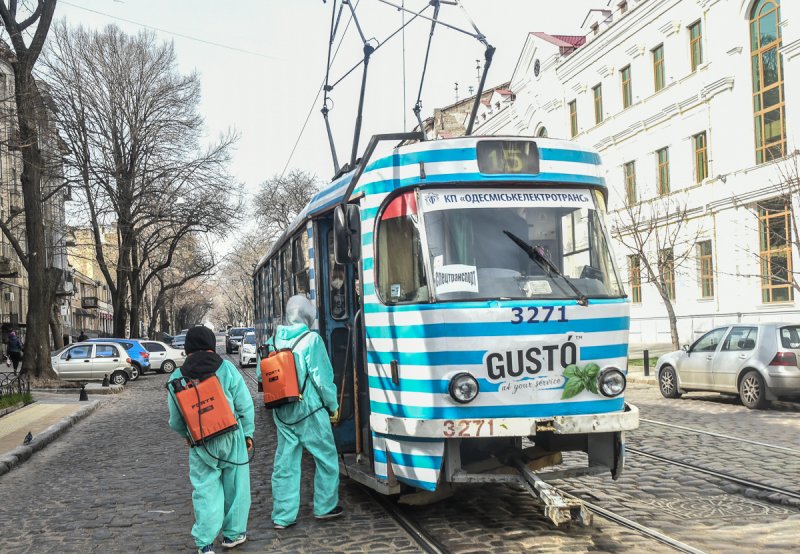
(221, 494)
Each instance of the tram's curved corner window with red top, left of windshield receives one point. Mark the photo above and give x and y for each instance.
(399, 260)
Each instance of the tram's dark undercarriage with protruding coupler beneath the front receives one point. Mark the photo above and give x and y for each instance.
(516, 460)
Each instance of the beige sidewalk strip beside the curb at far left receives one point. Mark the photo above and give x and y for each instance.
(49, 417)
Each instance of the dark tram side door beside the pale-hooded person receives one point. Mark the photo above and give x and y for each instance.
(335, 288)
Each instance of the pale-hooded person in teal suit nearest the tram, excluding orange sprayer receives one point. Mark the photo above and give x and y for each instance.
(306, 423)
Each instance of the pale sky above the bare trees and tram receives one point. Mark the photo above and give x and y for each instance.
(268, 58)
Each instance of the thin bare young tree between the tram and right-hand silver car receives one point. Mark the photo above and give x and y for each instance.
(658, 237)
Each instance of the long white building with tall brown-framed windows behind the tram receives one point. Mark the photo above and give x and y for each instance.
(689, 103)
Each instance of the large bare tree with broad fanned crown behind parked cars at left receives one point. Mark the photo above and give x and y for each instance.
(133, 136)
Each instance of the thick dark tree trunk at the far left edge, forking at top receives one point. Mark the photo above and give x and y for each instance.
(27, 27)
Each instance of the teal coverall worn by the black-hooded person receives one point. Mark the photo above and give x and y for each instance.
(221, 495)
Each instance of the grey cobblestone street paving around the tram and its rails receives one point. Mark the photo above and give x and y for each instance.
(118, 481)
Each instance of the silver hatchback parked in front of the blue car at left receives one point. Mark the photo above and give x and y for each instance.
(92, 361)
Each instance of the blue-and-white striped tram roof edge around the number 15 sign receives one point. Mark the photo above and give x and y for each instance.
(451, 160)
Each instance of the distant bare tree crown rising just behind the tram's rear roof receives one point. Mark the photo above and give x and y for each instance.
(281, 198)
